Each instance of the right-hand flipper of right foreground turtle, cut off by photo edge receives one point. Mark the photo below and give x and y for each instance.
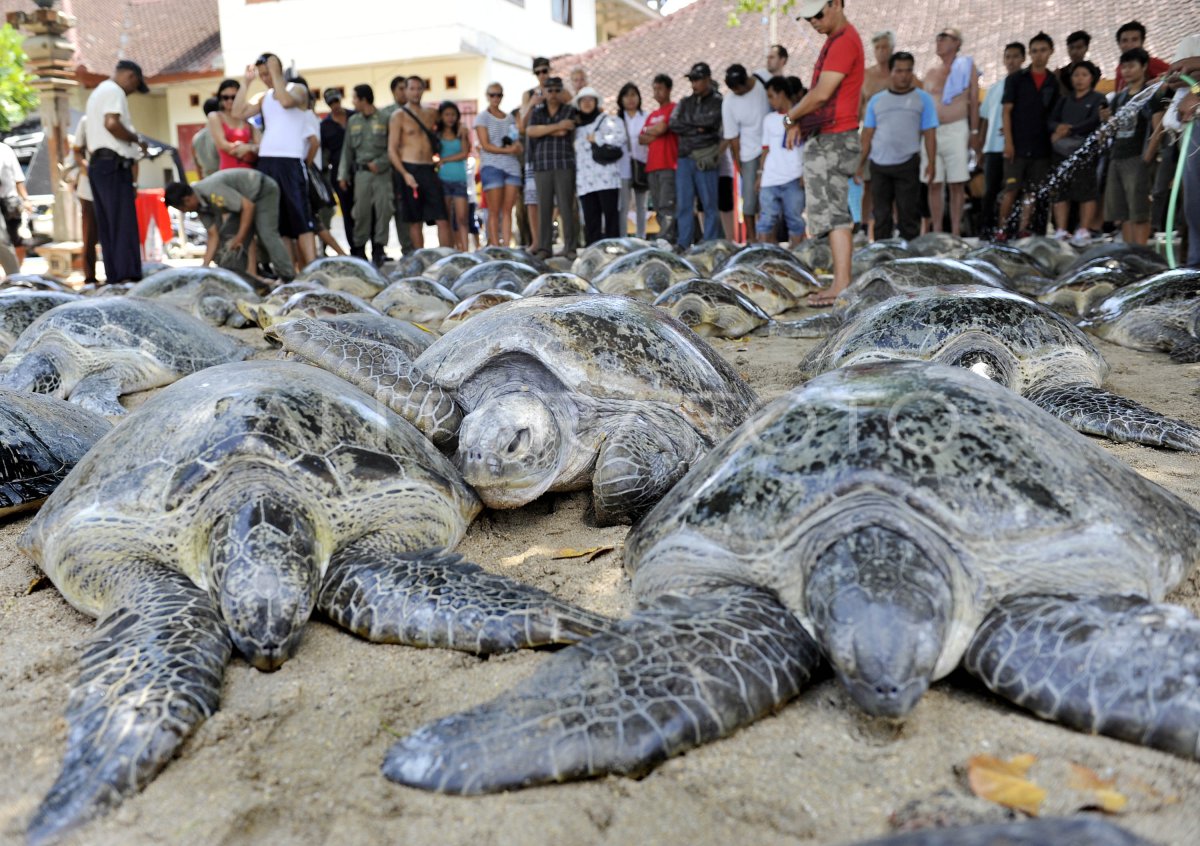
(1113, 665)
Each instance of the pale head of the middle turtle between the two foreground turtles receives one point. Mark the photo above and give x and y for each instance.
(509, 449)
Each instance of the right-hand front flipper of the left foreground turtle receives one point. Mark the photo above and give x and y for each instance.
(436, 599)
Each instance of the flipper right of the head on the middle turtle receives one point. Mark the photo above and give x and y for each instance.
(637, 466)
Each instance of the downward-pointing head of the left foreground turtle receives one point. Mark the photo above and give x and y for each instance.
(266, 575)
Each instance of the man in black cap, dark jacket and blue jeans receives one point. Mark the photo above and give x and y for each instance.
(697, 121)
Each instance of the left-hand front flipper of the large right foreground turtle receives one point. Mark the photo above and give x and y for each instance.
(675, 676)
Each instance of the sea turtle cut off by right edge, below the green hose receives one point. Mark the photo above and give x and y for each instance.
(1162, 313)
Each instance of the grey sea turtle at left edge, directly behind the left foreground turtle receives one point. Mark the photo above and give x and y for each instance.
(94, 351)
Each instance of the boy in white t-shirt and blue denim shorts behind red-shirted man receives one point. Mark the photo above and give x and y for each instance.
(779, 185)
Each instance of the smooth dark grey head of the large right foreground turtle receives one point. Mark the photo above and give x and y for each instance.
(881, 608)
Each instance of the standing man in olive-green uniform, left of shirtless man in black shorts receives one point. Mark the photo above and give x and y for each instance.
(365, 165)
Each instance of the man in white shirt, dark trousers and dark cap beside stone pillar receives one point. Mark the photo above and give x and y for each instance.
(112, 149)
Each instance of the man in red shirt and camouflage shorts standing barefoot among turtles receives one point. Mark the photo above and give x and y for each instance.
(827, 121)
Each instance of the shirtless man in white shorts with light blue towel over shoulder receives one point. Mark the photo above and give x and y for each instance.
(958, 130)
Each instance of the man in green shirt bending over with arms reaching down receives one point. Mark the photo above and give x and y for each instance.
(251, 200)
